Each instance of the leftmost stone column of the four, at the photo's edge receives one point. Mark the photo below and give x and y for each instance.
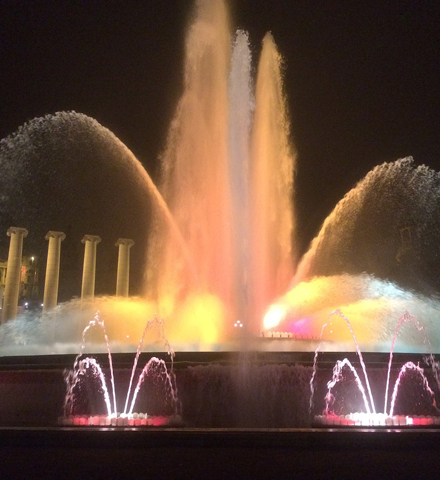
(12, 284)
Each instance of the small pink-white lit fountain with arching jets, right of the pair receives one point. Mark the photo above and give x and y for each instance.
(342, 403)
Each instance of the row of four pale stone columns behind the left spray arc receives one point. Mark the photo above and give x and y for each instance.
(50, 299)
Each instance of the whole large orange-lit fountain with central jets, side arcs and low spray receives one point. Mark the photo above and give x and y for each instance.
(218, 232)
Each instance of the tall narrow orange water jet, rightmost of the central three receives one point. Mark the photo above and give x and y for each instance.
(271, 186)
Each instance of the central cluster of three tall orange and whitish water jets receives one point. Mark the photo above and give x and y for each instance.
(227, 178)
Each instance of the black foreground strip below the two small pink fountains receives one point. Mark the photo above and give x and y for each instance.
(212, 454)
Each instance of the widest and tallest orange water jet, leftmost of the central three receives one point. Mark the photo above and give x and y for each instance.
(195, 177)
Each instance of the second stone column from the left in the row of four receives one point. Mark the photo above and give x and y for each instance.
(50, 299)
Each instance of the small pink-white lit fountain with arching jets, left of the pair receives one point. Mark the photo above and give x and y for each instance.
(87, 380)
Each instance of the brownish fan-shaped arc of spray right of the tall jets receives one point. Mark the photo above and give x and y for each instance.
(386, 226)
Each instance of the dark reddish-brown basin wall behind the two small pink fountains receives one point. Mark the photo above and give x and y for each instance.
(216, 389)
